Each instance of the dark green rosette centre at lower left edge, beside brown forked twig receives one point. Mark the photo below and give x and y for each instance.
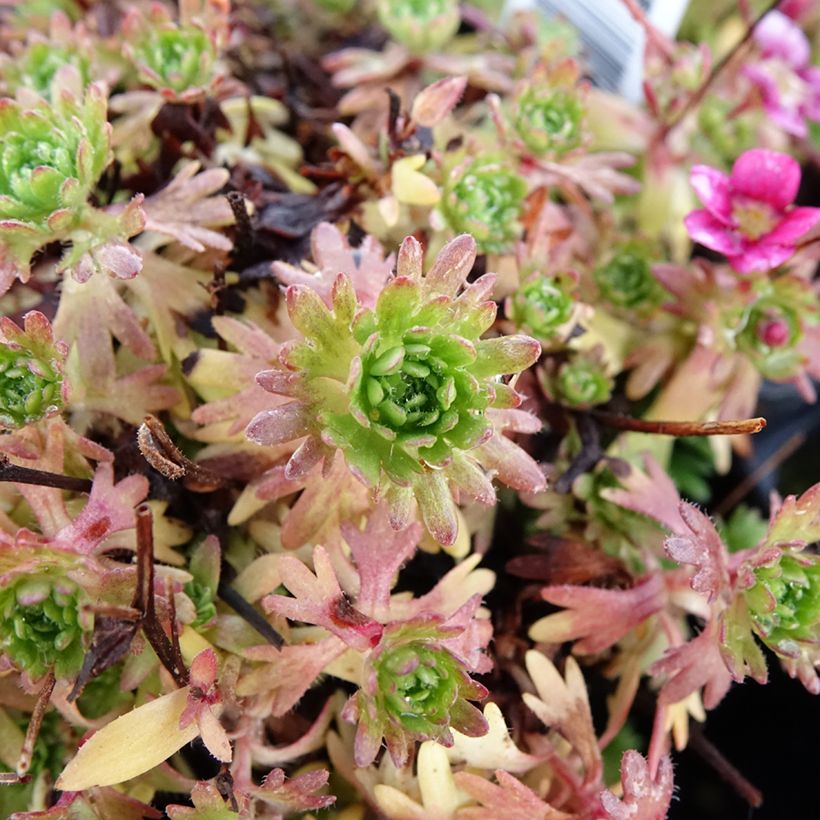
(42, 625)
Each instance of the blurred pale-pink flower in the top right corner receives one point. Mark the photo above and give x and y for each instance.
(788, 84)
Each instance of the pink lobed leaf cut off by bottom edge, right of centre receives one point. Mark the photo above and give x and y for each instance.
(644, 797)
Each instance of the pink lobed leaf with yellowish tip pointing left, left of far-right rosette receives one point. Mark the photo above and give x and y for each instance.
(598, 617)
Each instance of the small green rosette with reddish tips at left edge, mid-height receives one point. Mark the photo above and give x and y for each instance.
(31, 371)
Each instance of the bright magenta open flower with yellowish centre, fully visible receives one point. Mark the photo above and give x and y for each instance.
(747, 215)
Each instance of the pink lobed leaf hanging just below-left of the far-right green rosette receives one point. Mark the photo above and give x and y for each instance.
(692, 666)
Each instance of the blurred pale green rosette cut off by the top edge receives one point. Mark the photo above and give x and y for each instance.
(420, 25)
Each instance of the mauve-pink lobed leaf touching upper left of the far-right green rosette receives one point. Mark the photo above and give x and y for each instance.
(701, 546)
